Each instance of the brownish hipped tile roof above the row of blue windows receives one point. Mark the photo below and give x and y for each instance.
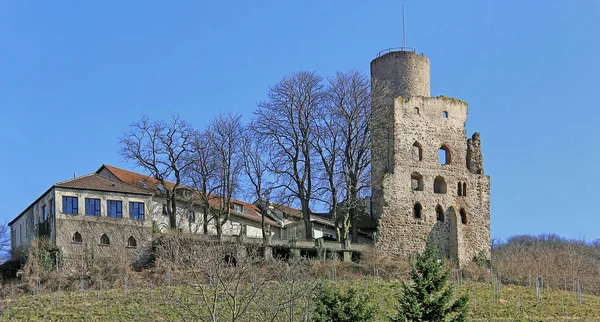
(100, 183)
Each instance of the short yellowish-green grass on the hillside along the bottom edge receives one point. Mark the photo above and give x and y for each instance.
(514, 303)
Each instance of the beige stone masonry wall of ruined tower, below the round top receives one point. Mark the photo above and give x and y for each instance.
(419, 120)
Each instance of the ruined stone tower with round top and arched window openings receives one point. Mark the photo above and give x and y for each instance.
(428, 179)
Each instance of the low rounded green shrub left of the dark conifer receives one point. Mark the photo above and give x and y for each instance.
(333, 305)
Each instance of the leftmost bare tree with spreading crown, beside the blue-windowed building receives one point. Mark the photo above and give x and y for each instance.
(160, 149)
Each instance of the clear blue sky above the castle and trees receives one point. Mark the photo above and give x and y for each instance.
(73, 75)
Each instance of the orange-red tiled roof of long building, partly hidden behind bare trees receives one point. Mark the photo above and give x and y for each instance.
(150, 184)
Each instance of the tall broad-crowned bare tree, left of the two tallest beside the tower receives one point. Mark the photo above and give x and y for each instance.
(285, 122)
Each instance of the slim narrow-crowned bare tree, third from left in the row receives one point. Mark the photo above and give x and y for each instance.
(225, 138)
